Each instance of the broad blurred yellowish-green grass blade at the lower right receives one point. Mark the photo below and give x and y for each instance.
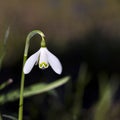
(107, 90)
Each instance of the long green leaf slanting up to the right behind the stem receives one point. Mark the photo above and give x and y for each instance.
(33, 90)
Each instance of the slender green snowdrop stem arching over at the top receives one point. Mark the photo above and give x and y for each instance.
(30, 35)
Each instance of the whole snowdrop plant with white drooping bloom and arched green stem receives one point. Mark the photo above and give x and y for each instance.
(43, 57)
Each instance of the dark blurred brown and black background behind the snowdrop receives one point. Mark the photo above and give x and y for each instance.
(76, 31)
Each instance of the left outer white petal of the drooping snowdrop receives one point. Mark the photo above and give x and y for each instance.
(31, 62)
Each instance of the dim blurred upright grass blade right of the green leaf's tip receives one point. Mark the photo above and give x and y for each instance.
(82, 81)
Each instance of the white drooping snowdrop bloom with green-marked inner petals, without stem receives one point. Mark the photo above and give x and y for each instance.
(44, 58)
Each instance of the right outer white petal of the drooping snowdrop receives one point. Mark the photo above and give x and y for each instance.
(54, 62)
